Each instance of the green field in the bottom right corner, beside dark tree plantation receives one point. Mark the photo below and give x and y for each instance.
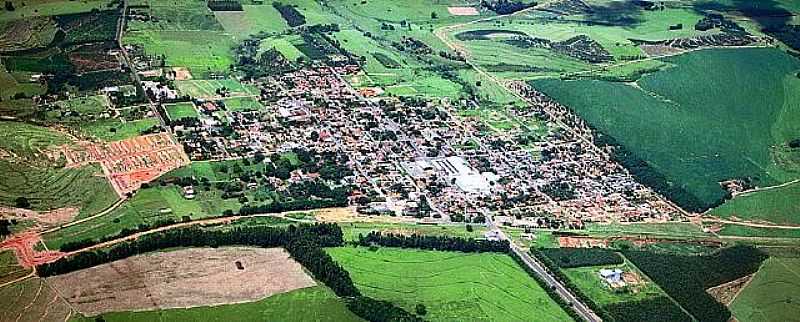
(772, 294)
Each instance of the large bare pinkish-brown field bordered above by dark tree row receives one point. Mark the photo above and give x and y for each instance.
(182, 278)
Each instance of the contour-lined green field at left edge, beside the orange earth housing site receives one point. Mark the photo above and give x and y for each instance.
(43, 182)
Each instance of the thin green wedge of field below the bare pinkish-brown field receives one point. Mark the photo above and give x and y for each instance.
(309, 304)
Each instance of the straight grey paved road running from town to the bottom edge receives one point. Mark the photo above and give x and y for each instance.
(538, 268)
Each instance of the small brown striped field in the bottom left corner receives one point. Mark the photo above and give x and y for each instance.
(32, 300)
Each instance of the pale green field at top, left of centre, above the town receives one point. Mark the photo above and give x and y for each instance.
(253, 19)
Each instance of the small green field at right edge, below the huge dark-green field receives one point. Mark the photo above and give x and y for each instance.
(775, 205)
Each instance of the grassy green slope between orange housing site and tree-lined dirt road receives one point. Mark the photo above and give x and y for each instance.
(147, 207)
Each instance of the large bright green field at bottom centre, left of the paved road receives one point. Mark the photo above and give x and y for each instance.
(451, 285)
